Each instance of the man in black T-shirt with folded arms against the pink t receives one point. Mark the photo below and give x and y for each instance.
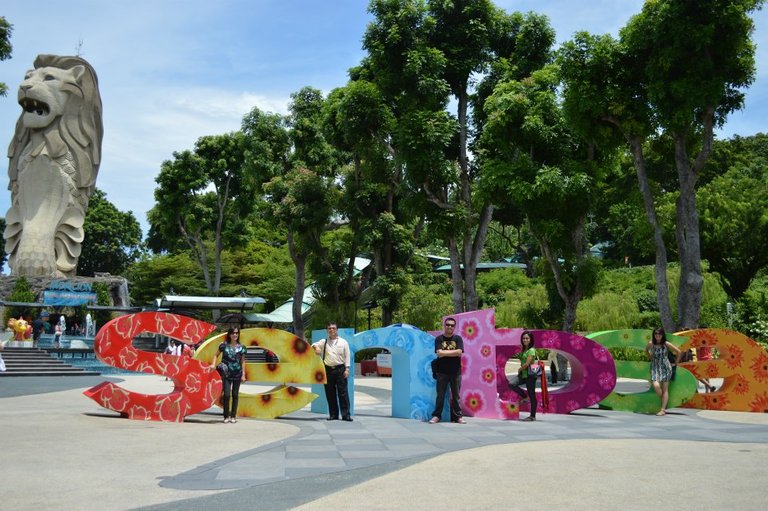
(448, 348)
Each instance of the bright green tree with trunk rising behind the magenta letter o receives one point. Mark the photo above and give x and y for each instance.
(537, 164)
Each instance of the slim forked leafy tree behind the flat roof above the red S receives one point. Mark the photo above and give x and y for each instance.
(203, 196)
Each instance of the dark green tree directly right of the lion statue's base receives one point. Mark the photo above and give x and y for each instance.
(112, 238)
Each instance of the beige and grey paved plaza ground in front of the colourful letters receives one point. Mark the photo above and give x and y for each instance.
(62, 451)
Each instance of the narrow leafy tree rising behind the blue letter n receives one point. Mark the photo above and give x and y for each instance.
(360, 122)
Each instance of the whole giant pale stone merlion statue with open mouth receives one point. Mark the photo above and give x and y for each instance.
(54, 158)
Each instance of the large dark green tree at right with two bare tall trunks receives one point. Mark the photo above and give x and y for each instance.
(678, 68)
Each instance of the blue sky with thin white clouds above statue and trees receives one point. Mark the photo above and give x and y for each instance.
(171, 71)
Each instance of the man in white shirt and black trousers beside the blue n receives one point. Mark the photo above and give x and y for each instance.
(335, 353)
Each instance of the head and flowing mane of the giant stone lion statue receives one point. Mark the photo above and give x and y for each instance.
(60, 100)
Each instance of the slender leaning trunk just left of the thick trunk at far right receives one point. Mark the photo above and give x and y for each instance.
(662, 287)
